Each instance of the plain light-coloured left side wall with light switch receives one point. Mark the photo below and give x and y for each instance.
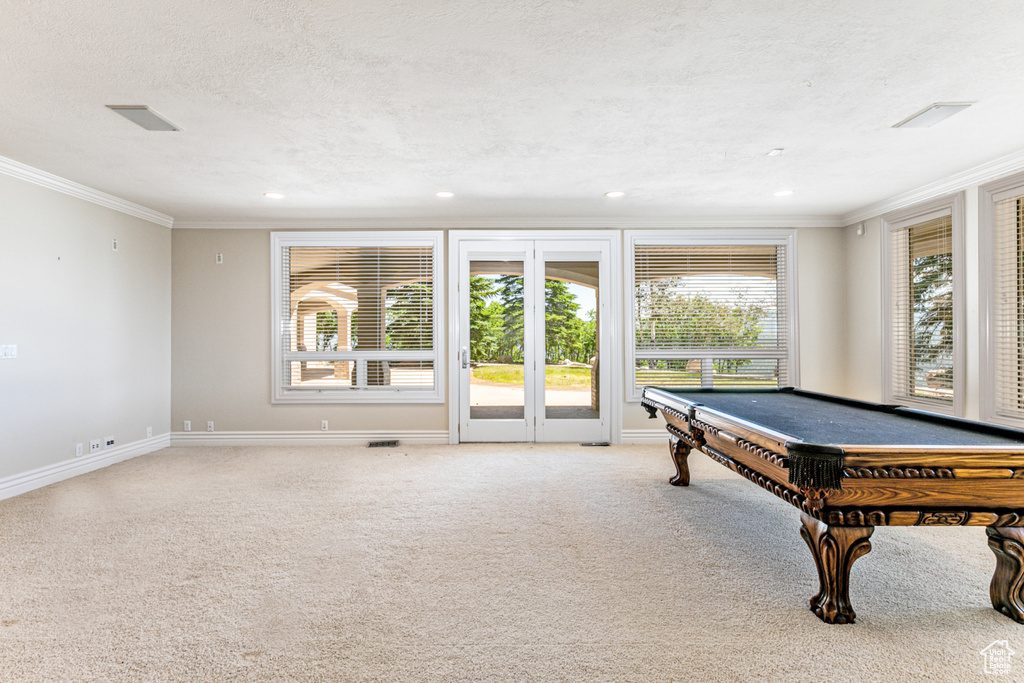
(93, 326)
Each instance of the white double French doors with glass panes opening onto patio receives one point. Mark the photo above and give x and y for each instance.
(533, 326)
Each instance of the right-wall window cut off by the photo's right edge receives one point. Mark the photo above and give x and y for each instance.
(1003, 248)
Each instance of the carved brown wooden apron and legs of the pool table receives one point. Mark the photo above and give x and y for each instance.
(882, 486)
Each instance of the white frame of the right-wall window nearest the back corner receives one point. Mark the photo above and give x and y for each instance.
(953, 206)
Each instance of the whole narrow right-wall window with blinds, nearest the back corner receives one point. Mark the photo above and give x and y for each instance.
(923, 321)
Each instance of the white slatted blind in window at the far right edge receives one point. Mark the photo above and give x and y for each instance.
(1007, 329)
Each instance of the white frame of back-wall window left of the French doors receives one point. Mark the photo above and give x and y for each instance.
(283, 395)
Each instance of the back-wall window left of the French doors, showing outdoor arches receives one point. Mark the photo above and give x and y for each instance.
(357, 317)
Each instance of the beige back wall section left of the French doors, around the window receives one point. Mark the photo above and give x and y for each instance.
(222, 347)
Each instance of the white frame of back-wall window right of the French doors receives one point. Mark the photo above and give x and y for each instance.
(713, 238)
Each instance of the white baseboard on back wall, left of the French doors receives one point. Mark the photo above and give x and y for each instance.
(308, 438)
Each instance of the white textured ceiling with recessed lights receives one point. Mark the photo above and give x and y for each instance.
(523, 108)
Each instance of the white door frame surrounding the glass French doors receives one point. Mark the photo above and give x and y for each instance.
(614, 327)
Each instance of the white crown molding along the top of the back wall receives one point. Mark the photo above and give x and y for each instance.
(516, 224)
